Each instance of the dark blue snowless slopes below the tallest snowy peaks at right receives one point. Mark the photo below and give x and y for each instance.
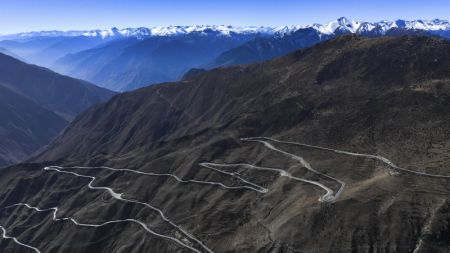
(268, 48)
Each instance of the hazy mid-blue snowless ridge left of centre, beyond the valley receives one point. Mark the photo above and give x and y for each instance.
(130, 64)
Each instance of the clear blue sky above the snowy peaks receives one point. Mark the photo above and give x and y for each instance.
(34, 15)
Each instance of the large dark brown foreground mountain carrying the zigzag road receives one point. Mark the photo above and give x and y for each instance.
(388, 97)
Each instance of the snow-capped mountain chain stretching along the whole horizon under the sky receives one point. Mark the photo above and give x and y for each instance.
(341, 25)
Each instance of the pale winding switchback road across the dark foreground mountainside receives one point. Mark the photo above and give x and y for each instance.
(329, 196)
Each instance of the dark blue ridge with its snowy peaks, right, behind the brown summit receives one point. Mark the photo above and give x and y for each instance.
(261, 49)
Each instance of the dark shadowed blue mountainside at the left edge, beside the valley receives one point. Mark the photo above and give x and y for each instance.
(36, 104)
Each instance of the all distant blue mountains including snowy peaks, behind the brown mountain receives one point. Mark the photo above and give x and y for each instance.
(126, 59)
